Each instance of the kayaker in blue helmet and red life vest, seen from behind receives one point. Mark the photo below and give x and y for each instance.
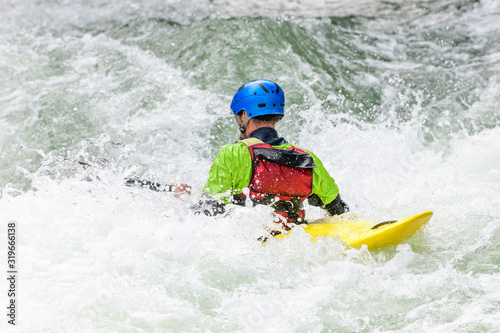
(263, 167)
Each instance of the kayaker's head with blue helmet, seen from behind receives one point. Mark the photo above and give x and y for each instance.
(260, 100)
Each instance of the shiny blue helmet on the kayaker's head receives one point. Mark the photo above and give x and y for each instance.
(258, 98)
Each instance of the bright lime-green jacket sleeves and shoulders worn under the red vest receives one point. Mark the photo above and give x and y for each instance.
(231, 172)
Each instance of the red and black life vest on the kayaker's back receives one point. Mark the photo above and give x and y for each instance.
(281, 178)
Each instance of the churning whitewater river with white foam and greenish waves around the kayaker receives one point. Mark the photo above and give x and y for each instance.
(399, 98)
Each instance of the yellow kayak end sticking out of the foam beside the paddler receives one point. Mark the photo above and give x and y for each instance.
(358, 232)
